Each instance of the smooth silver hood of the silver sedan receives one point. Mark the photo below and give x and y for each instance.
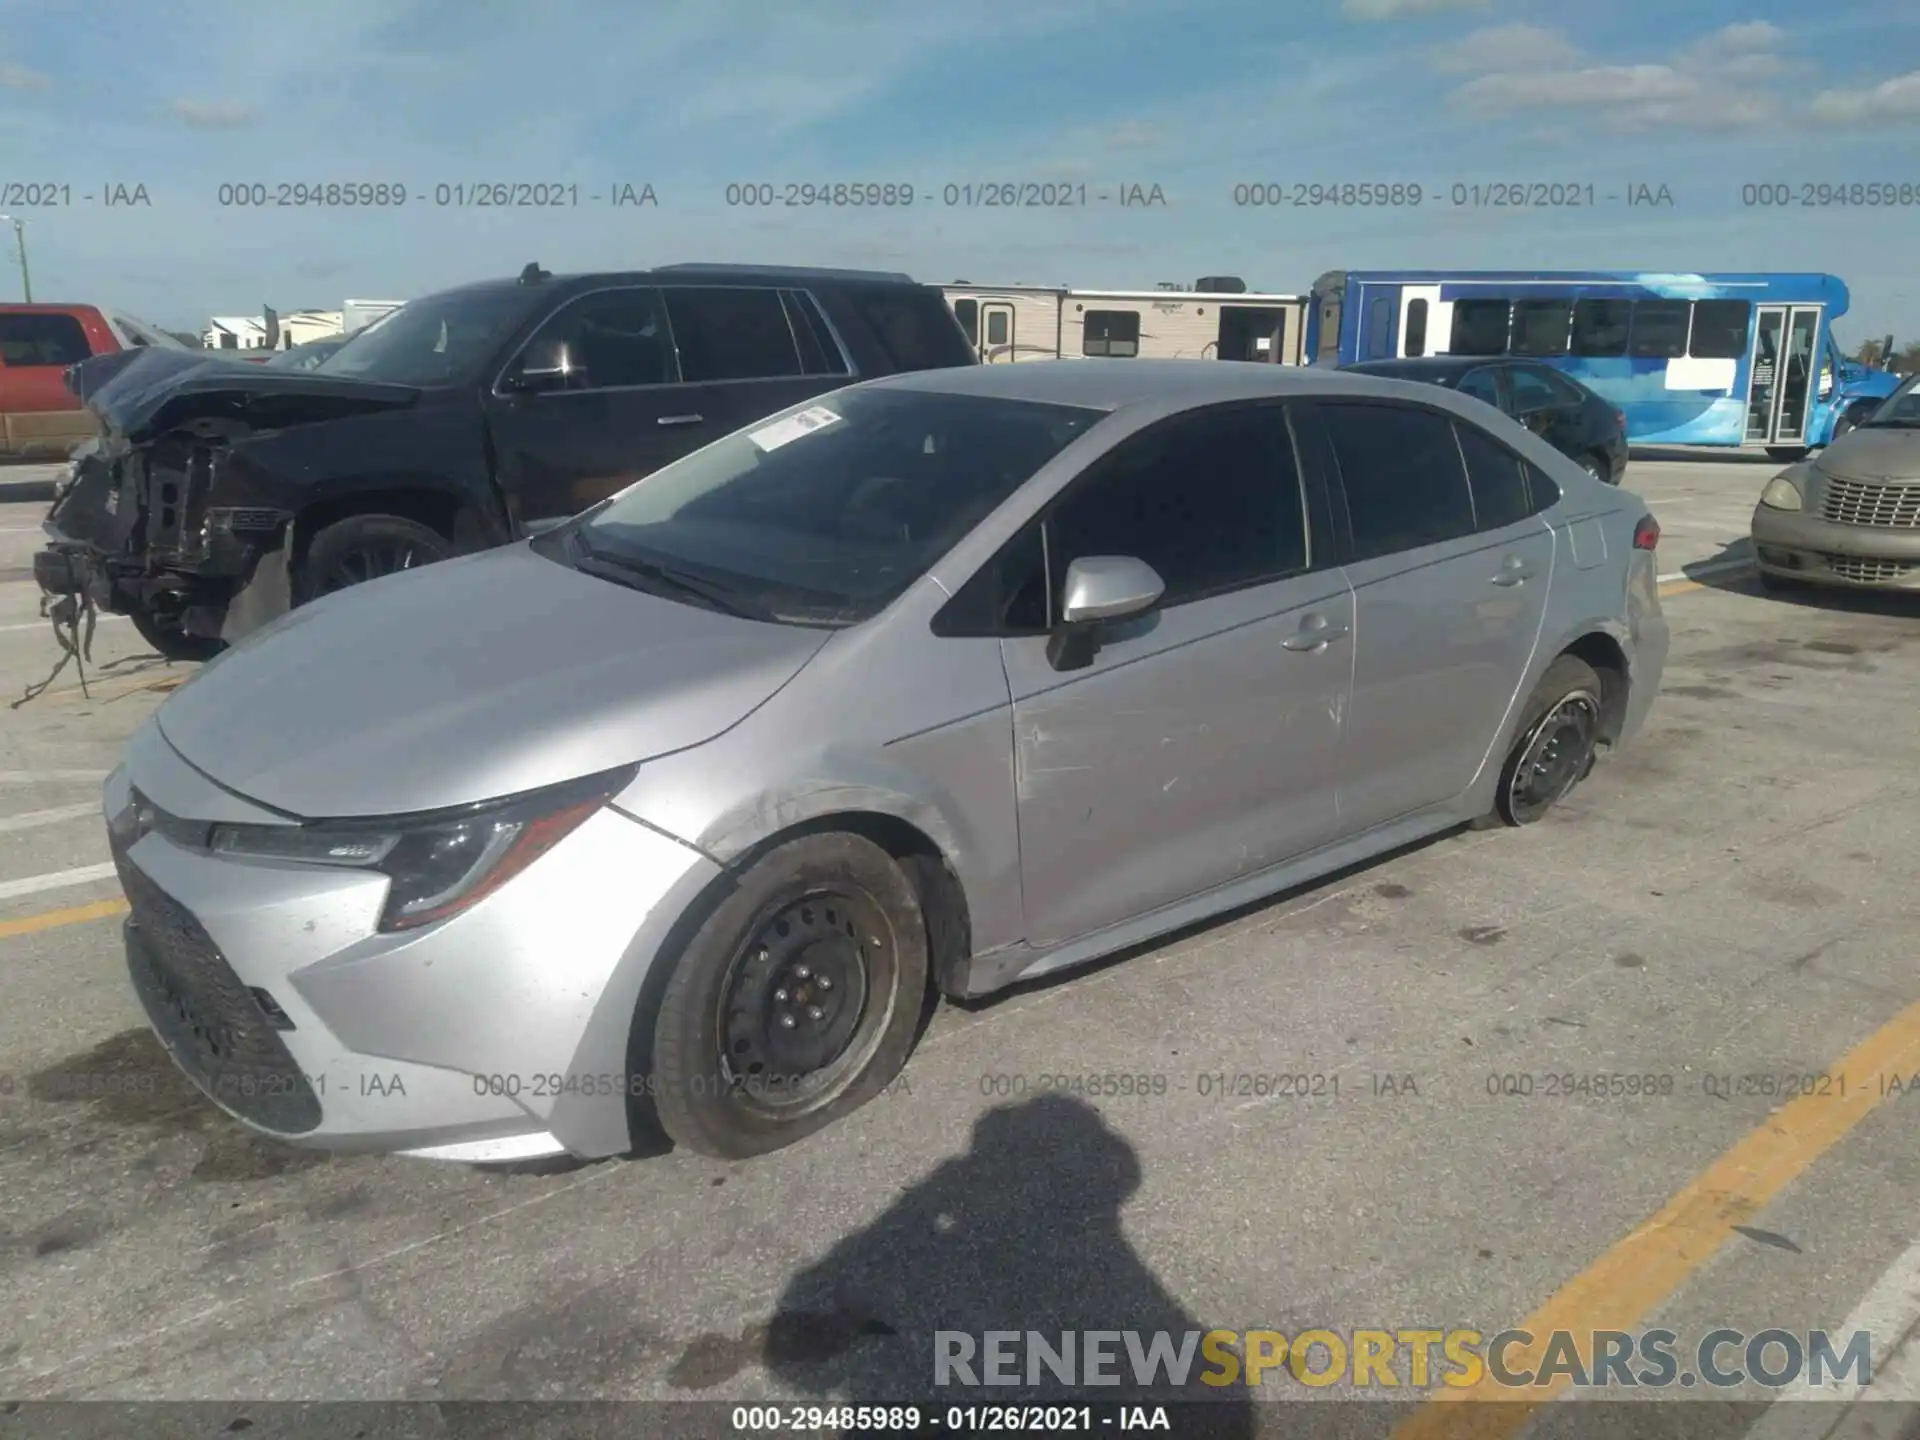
(468, 681)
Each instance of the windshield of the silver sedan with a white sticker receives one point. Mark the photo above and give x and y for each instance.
(828, 512)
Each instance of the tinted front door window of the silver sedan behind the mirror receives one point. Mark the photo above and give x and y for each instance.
(1212, 502)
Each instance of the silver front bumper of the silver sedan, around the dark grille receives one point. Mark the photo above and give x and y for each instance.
(500, 1034)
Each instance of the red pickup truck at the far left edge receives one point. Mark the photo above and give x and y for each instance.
(39, 416)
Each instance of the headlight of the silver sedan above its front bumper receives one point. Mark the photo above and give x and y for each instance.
(439, 863)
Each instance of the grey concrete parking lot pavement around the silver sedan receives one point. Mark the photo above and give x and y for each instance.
(1725, 911)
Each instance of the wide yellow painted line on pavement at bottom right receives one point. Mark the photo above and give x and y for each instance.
(1639, 1274)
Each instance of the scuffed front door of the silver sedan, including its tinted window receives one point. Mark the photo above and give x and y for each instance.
(1199, 742)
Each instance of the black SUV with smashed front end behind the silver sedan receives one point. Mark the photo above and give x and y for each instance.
(222, 494)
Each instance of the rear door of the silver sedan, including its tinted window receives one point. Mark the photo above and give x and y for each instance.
(1449, 608)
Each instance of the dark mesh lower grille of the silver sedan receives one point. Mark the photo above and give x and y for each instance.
(208, 1019)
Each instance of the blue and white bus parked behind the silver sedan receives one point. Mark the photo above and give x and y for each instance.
(1691, 360)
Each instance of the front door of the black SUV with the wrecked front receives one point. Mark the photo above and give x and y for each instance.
(594, 402)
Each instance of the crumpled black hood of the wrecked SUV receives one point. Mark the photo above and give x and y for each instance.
(137, 395)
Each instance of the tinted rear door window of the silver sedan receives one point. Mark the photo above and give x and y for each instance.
(1403, 475)
